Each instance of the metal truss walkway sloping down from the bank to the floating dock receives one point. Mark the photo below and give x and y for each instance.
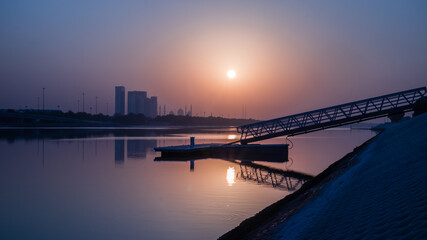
(332, 116)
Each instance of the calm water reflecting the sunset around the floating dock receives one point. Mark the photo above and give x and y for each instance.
(108, 186)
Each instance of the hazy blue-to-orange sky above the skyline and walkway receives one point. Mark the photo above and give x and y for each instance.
(290, 56)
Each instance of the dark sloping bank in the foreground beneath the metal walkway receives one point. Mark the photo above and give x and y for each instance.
(325, 207)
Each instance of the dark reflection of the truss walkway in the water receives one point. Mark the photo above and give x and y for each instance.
(286, 180)
